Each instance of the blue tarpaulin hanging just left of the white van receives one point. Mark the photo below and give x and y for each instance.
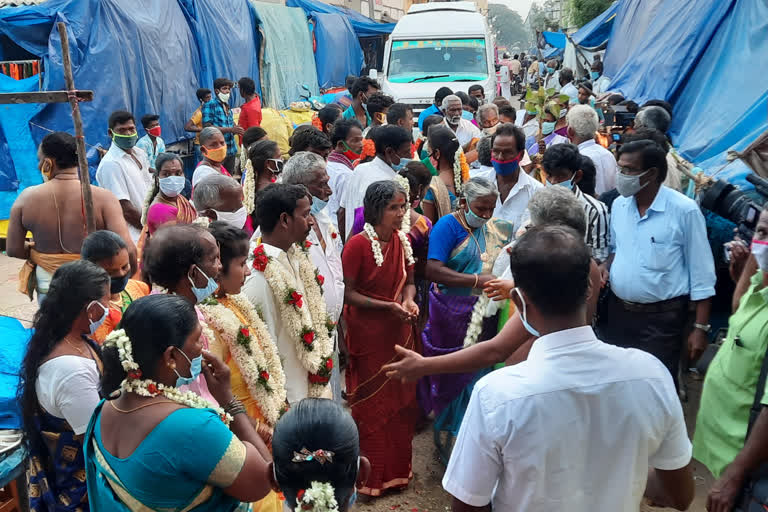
(338, 51)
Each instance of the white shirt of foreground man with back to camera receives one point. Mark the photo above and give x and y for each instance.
(574, 427)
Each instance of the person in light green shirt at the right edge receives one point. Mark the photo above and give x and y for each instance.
(731, 381)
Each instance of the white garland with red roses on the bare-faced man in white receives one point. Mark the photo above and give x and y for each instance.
(306, 320)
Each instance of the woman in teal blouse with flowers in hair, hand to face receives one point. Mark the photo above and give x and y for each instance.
(151, 446)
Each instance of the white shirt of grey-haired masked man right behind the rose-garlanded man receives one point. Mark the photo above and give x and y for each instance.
(328, 263)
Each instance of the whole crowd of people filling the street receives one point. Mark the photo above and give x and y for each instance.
(270, 330)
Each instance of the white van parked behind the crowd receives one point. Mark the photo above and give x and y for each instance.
(439, 44)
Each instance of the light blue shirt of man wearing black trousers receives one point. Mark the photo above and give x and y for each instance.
(664, 254)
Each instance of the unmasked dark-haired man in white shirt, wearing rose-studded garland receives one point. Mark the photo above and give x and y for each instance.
(285, 220)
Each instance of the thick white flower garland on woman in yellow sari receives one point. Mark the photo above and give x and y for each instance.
(253, 350)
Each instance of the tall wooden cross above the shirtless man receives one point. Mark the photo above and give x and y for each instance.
(73, 97)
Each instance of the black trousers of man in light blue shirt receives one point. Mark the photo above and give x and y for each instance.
(658, 333)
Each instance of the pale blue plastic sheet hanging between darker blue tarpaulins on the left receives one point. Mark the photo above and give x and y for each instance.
(287, 50)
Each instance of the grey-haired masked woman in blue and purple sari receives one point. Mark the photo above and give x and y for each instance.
(462, 249)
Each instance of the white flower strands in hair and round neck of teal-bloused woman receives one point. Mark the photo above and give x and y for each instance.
(133, 383)
